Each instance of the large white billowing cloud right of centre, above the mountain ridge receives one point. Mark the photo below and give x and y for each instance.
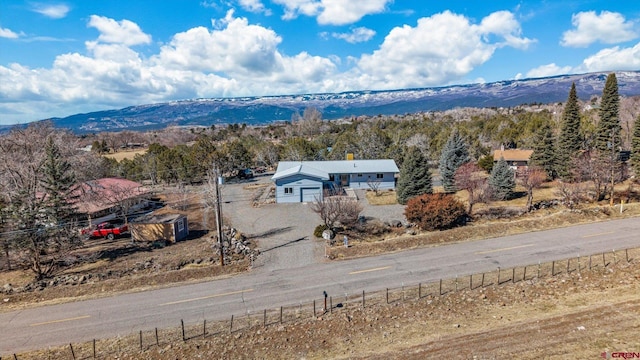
(438, 50)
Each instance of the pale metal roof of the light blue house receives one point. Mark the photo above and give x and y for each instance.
(322, 169)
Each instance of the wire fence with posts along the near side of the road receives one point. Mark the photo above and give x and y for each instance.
(144, 340)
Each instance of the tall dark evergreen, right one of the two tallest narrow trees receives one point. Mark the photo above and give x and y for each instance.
(608, 134)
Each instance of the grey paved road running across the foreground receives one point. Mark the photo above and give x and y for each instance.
(253, 292)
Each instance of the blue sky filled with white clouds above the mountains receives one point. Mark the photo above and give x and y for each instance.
(59, 58)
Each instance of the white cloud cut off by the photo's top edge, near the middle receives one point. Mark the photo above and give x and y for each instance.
(332, 12)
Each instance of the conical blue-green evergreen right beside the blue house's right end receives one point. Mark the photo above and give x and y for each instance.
(415, 176)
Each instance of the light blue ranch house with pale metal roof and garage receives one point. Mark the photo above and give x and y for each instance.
(306, 181)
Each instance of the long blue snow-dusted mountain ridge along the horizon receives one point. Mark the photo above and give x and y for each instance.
(268, 109)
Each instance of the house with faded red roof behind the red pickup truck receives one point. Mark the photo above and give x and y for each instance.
(101, 199)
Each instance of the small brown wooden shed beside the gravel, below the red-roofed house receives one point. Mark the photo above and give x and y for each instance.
(168, 227)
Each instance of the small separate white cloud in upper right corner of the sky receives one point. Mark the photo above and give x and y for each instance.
(608, 28)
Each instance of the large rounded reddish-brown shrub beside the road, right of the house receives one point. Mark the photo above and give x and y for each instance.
(435, 211)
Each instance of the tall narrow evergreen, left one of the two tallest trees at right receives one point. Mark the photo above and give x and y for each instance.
(570, 141)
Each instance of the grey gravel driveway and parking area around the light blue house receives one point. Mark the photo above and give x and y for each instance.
(284, 232)
